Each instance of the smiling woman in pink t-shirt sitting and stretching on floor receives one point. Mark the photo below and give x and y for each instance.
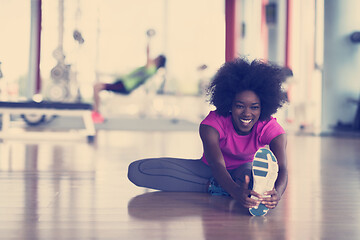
(244, 146)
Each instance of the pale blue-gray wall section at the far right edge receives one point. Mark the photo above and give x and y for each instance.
(341, 78)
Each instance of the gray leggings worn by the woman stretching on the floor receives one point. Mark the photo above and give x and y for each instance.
(178, 175)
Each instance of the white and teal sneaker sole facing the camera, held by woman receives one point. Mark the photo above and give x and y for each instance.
(265, 171)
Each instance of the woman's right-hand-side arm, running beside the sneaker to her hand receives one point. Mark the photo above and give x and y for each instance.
(278, 147)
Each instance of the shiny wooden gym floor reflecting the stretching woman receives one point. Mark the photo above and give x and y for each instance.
(74, 190)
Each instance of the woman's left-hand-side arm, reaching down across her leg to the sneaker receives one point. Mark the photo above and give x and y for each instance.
(213, 154)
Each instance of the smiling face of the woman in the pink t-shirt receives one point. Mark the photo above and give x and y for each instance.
(245, 111)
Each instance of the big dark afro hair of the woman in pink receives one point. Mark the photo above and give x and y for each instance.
(264, 79)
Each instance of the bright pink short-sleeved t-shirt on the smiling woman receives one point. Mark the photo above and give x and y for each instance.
(239, 149)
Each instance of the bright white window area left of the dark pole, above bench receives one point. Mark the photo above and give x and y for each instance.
(14, 46)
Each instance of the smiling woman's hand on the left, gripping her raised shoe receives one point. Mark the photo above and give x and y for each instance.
(243, 192)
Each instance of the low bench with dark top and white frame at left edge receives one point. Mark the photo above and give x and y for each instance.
(49, 109)
